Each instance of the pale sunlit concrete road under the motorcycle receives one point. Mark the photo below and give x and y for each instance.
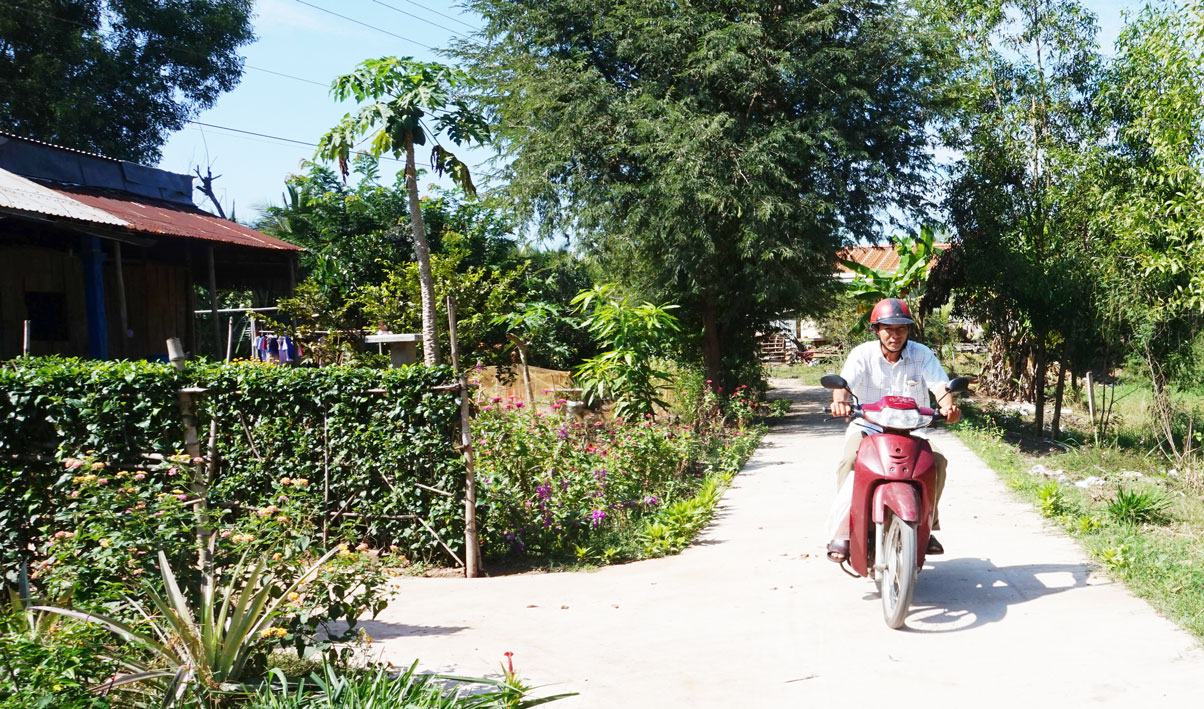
(754, 616)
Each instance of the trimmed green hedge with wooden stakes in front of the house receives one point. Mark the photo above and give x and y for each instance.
(310, 426)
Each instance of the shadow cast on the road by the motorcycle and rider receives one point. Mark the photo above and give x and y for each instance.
(964, 594)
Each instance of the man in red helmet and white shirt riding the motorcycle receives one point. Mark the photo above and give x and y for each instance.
(890, 365)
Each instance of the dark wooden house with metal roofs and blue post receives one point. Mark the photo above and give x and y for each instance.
(103, 258)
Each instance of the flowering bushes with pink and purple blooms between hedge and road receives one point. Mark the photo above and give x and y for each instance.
(556, 486)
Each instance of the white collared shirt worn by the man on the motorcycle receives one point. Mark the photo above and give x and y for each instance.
(872, 377)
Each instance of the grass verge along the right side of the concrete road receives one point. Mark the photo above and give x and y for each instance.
(1162, 564)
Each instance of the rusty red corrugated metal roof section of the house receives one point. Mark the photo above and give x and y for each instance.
(156, 217)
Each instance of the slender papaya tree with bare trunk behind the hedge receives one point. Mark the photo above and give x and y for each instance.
(406, 103)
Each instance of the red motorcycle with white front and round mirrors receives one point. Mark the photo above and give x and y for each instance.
(894, 497)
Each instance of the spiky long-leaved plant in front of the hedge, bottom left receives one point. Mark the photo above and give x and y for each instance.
(206, 649)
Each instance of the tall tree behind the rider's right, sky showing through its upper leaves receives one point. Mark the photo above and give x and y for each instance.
(1025, 76)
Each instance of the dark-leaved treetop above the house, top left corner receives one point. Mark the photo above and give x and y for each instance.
(116, 78)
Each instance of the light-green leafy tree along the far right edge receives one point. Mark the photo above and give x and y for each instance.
(1153, 270)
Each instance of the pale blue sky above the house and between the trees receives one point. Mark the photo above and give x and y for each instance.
(305, 40)
